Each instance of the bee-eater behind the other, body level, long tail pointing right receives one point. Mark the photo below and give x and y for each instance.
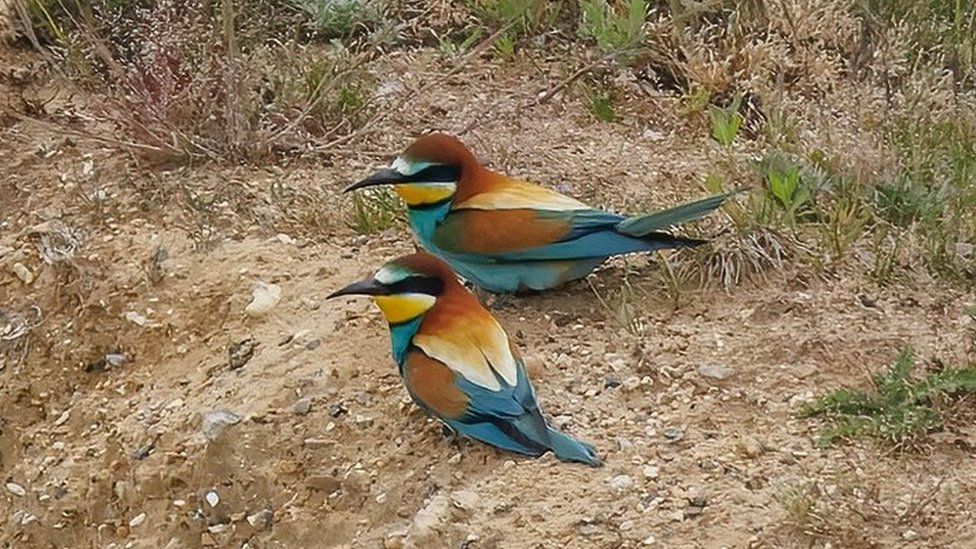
(506, 235)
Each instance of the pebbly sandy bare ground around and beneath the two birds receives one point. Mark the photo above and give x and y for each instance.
(107, 427)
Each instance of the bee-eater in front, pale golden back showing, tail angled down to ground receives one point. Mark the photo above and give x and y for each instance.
(457, 362)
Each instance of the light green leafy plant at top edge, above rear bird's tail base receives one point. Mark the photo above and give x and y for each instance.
(616, 26)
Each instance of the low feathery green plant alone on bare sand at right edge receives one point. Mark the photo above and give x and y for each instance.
(900, 409)
